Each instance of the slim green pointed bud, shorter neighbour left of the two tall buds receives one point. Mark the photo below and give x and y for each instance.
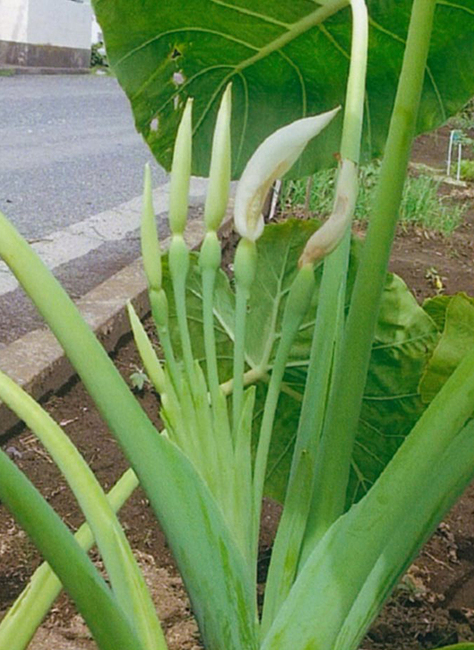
(149, 236)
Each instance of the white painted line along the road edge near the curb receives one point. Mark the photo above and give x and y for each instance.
(63, 246)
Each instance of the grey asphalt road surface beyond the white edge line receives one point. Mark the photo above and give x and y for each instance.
(68, 149)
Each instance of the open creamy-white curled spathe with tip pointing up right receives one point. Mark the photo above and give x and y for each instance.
(272, 159)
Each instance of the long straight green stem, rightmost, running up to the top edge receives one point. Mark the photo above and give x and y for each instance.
(346, 398)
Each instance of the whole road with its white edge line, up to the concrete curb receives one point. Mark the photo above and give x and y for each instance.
(69, 154)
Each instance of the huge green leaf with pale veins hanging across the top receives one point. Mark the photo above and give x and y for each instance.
(283, 66)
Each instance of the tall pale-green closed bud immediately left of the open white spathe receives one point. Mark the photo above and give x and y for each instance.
(219, 175)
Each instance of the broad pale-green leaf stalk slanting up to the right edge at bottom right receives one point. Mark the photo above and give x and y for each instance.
(366, 548)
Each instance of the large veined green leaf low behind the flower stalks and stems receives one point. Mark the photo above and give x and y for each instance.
(405, 339)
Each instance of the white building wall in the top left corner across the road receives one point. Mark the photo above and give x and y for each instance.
(62, 23)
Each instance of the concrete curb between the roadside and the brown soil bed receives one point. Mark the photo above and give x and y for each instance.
(37, 362)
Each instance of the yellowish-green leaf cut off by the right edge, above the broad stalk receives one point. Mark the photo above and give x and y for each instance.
(457, 339)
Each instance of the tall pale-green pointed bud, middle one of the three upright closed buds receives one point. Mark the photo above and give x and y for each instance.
(181, 172)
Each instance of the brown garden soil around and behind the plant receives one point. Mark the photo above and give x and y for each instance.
(434, 603)
